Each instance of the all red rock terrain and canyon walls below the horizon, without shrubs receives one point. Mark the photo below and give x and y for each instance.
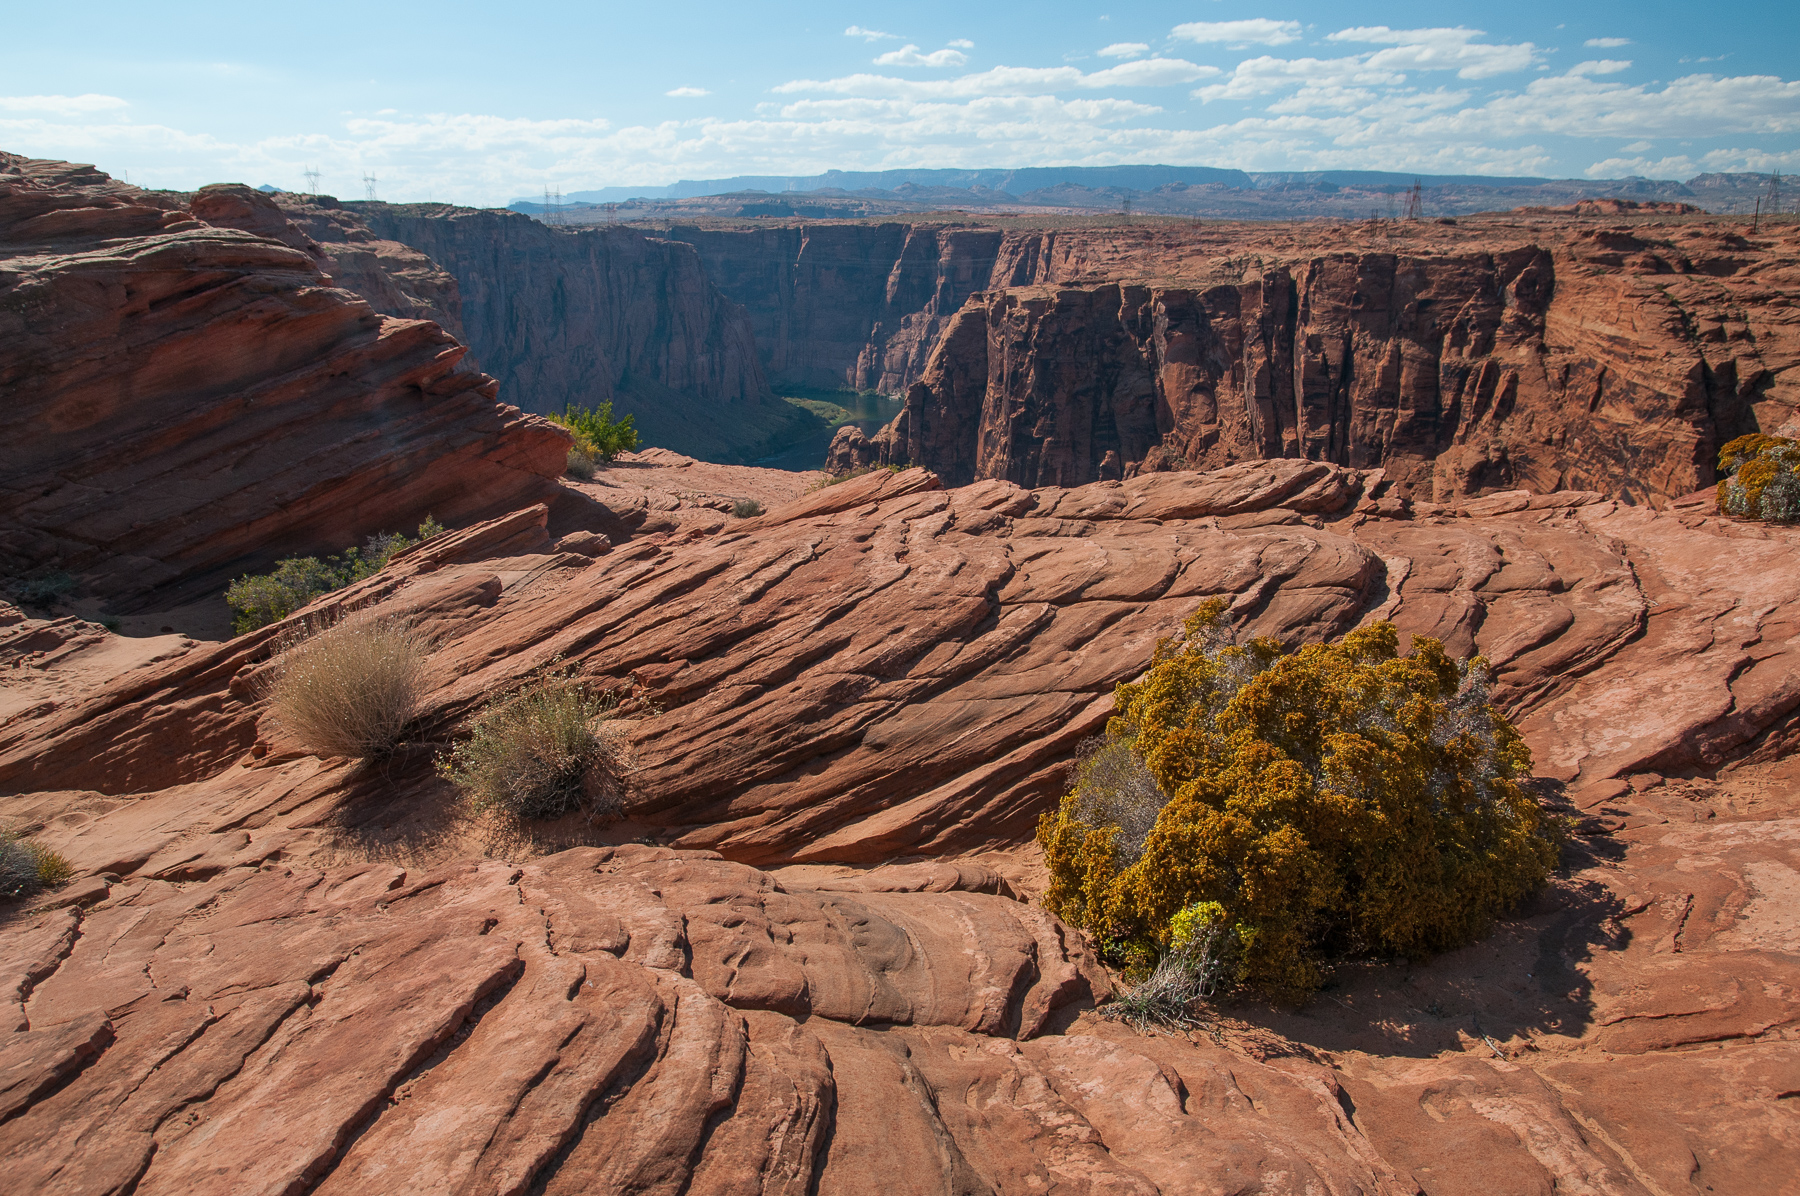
(809, 956)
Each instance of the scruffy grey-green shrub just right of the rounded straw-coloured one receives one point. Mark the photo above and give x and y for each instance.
(532, 754)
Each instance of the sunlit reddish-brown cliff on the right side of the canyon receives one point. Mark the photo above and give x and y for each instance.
(1603, 359)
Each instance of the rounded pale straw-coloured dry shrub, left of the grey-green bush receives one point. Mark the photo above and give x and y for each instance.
(350, 689)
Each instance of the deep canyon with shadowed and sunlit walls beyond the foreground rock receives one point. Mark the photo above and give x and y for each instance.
(1542, 350)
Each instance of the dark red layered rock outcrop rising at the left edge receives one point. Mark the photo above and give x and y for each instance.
(188, 401)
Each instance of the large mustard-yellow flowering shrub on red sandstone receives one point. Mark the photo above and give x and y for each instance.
(1329, 802)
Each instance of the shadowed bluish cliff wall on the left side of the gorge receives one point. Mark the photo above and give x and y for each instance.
(580, 318)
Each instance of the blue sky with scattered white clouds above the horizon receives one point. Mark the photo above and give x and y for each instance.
(481, 104)
